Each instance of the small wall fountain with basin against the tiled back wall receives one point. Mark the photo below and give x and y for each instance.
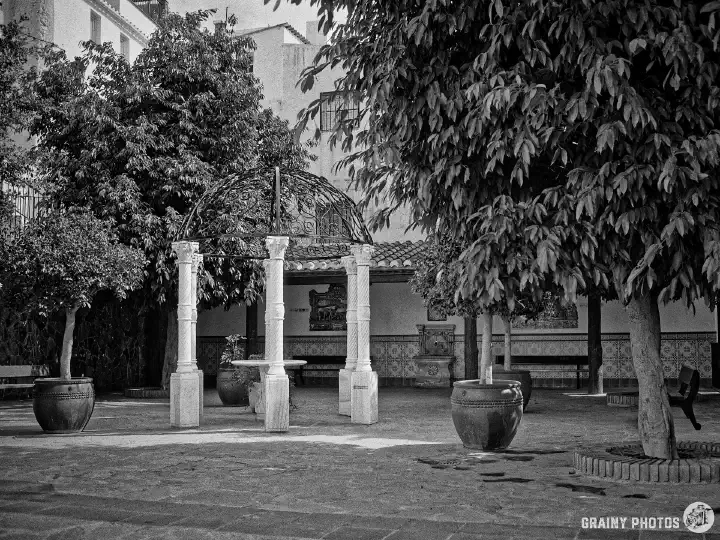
(432, 365)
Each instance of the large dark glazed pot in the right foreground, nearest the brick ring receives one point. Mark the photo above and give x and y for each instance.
(486, 416)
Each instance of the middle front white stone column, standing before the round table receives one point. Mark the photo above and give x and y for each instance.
(277, 384)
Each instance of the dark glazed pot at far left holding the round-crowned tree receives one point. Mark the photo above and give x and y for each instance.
(63, 405)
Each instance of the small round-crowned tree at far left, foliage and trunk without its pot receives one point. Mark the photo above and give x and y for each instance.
(60, 261)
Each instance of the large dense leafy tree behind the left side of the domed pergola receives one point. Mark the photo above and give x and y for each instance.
(139, 144)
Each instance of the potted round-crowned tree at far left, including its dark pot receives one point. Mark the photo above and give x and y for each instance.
(59, 262)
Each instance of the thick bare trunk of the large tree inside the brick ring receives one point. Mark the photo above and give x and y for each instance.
(655, 421)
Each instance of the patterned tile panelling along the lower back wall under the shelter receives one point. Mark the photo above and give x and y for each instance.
(393, 355)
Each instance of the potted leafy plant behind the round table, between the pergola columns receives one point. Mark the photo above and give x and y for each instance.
(234, 382)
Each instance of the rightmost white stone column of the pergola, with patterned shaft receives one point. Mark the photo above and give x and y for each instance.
(363, 381)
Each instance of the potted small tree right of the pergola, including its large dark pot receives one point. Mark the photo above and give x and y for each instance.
(505, 272)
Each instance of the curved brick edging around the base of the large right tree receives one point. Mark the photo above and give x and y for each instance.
(602, 464)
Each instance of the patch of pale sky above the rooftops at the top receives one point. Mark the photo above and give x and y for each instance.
(253, 13)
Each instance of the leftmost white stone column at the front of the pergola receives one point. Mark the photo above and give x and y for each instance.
(184, 383)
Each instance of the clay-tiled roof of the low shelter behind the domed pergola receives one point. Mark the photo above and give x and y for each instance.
(387, 255)
